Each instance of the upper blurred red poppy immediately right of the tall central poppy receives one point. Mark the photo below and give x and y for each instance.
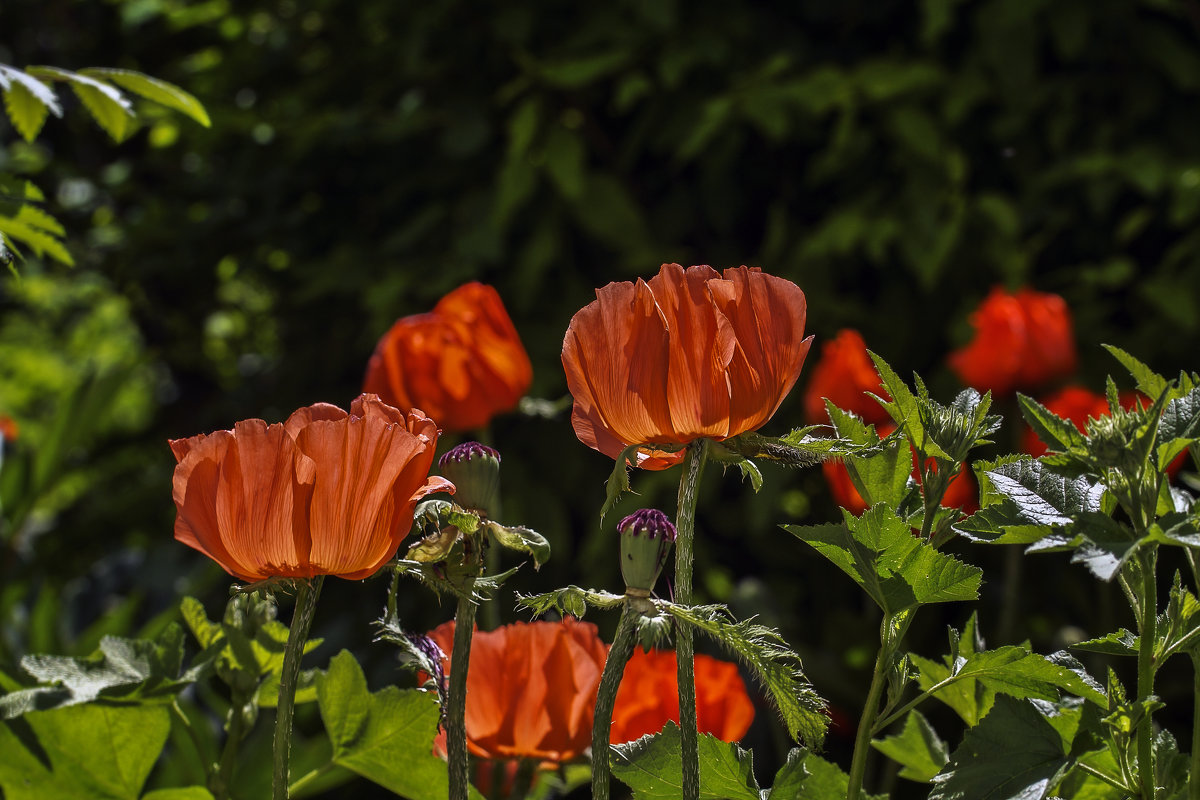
(844, 376)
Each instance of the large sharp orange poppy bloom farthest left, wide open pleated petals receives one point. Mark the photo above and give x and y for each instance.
(325, 494)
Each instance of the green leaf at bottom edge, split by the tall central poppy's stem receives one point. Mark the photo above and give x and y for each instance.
(651, 767)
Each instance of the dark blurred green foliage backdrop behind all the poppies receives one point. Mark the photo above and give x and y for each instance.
(893, 159)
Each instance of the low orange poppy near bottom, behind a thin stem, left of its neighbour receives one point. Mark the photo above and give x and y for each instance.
(531, 689)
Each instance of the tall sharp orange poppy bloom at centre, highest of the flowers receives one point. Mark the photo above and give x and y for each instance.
(689, 354)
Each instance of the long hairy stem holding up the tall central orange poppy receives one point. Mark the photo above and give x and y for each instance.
(686, 653)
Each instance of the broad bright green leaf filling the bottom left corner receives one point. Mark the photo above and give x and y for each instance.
(94, 751)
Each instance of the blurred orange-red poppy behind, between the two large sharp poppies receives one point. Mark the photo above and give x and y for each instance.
(461, 364)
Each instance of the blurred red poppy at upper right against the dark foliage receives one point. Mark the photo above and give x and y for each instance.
(1023, 341)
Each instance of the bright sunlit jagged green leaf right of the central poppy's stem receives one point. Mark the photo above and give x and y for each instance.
(893, 567)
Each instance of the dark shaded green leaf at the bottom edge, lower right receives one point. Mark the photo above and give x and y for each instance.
(1015, 754)
